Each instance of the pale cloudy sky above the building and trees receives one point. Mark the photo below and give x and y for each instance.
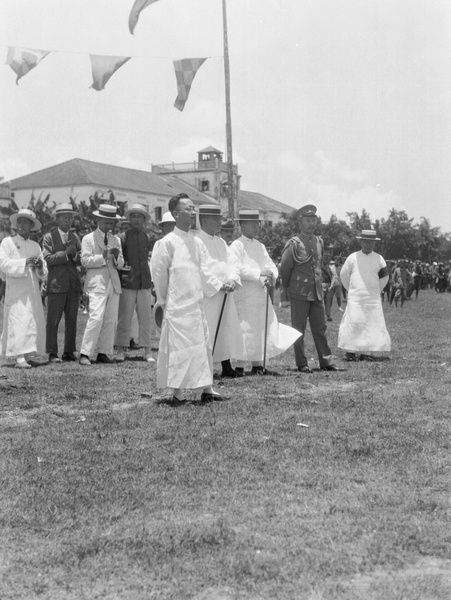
(343, 103)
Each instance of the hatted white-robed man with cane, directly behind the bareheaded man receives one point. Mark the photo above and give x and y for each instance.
(226, 338)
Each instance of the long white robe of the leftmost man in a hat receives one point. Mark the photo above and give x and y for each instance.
(23, 314)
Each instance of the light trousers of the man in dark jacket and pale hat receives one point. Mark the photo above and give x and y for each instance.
(142, 301)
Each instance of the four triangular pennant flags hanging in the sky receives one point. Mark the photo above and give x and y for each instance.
(23, 60)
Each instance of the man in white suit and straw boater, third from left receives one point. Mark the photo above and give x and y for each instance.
(101, 256)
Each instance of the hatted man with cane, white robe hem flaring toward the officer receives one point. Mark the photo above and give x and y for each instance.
(255, 311)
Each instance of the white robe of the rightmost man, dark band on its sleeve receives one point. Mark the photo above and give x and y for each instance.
(362, 328)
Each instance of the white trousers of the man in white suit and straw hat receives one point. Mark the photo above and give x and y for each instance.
(102, 322)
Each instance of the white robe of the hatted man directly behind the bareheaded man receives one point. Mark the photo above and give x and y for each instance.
(229, 342)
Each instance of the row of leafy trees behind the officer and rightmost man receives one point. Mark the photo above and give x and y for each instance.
(400, 236)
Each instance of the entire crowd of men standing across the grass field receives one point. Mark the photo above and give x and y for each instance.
(212, 293)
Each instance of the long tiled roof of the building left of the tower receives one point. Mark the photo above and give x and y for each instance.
(85, 172)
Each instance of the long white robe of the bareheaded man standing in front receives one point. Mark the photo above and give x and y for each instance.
(181, 278)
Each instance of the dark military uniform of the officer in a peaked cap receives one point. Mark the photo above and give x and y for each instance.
(300, 270)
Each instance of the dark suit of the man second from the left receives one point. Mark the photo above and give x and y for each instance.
(63, 289)
